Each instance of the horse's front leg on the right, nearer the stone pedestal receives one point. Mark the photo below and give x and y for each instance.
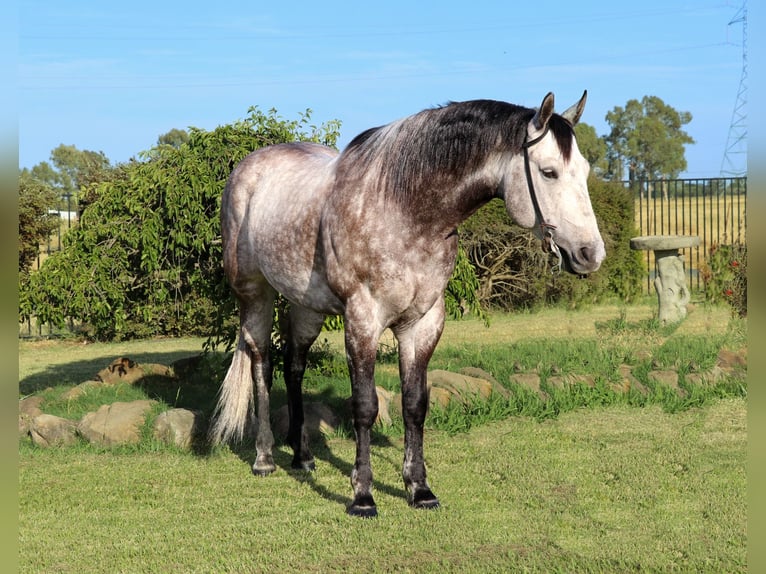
(417, 342)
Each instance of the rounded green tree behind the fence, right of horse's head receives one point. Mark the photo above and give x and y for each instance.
(647, 138)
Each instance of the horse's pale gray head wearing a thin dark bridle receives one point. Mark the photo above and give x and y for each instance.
(550, 189)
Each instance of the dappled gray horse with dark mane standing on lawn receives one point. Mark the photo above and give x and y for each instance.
(371, 234)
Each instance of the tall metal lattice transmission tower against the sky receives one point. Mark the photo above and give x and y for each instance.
(735, 156)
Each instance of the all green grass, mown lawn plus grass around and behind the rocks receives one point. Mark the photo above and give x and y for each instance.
(588, 481)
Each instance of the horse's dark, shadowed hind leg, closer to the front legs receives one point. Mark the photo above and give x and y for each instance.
(300, 330)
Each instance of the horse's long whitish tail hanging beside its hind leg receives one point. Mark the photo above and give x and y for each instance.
(236, 403)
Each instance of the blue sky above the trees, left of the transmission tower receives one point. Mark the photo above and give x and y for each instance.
(112, 77)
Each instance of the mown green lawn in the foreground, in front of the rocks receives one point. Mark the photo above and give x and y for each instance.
(614, 489)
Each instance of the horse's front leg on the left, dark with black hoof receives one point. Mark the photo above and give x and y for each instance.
(361, 347)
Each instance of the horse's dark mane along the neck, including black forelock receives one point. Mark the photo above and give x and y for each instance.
(439, 145)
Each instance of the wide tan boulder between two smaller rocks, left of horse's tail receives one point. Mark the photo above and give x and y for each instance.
(118, 423)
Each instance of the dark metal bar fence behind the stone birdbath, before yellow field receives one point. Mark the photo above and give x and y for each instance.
(713, 209)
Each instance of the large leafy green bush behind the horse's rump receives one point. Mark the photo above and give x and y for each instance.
(145, 259)
